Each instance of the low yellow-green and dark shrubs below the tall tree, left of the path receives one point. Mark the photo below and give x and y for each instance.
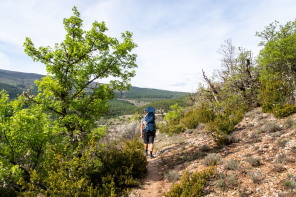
(109, 171)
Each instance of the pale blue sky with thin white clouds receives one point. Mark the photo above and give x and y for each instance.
(176, 38)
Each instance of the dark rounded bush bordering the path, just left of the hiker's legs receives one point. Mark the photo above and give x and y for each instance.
(122, 164)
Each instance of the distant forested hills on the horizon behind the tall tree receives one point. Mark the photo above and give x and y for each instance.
(127, 102)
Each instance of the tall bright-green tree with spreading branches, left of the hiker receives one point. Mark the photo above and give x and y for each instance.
(69, 91)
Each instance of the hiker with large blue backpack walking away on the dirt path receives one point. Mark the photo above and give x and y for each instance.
(148, 129)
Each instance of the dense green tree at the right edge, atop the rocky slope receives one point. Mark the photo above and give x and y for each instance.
(277, 68)
